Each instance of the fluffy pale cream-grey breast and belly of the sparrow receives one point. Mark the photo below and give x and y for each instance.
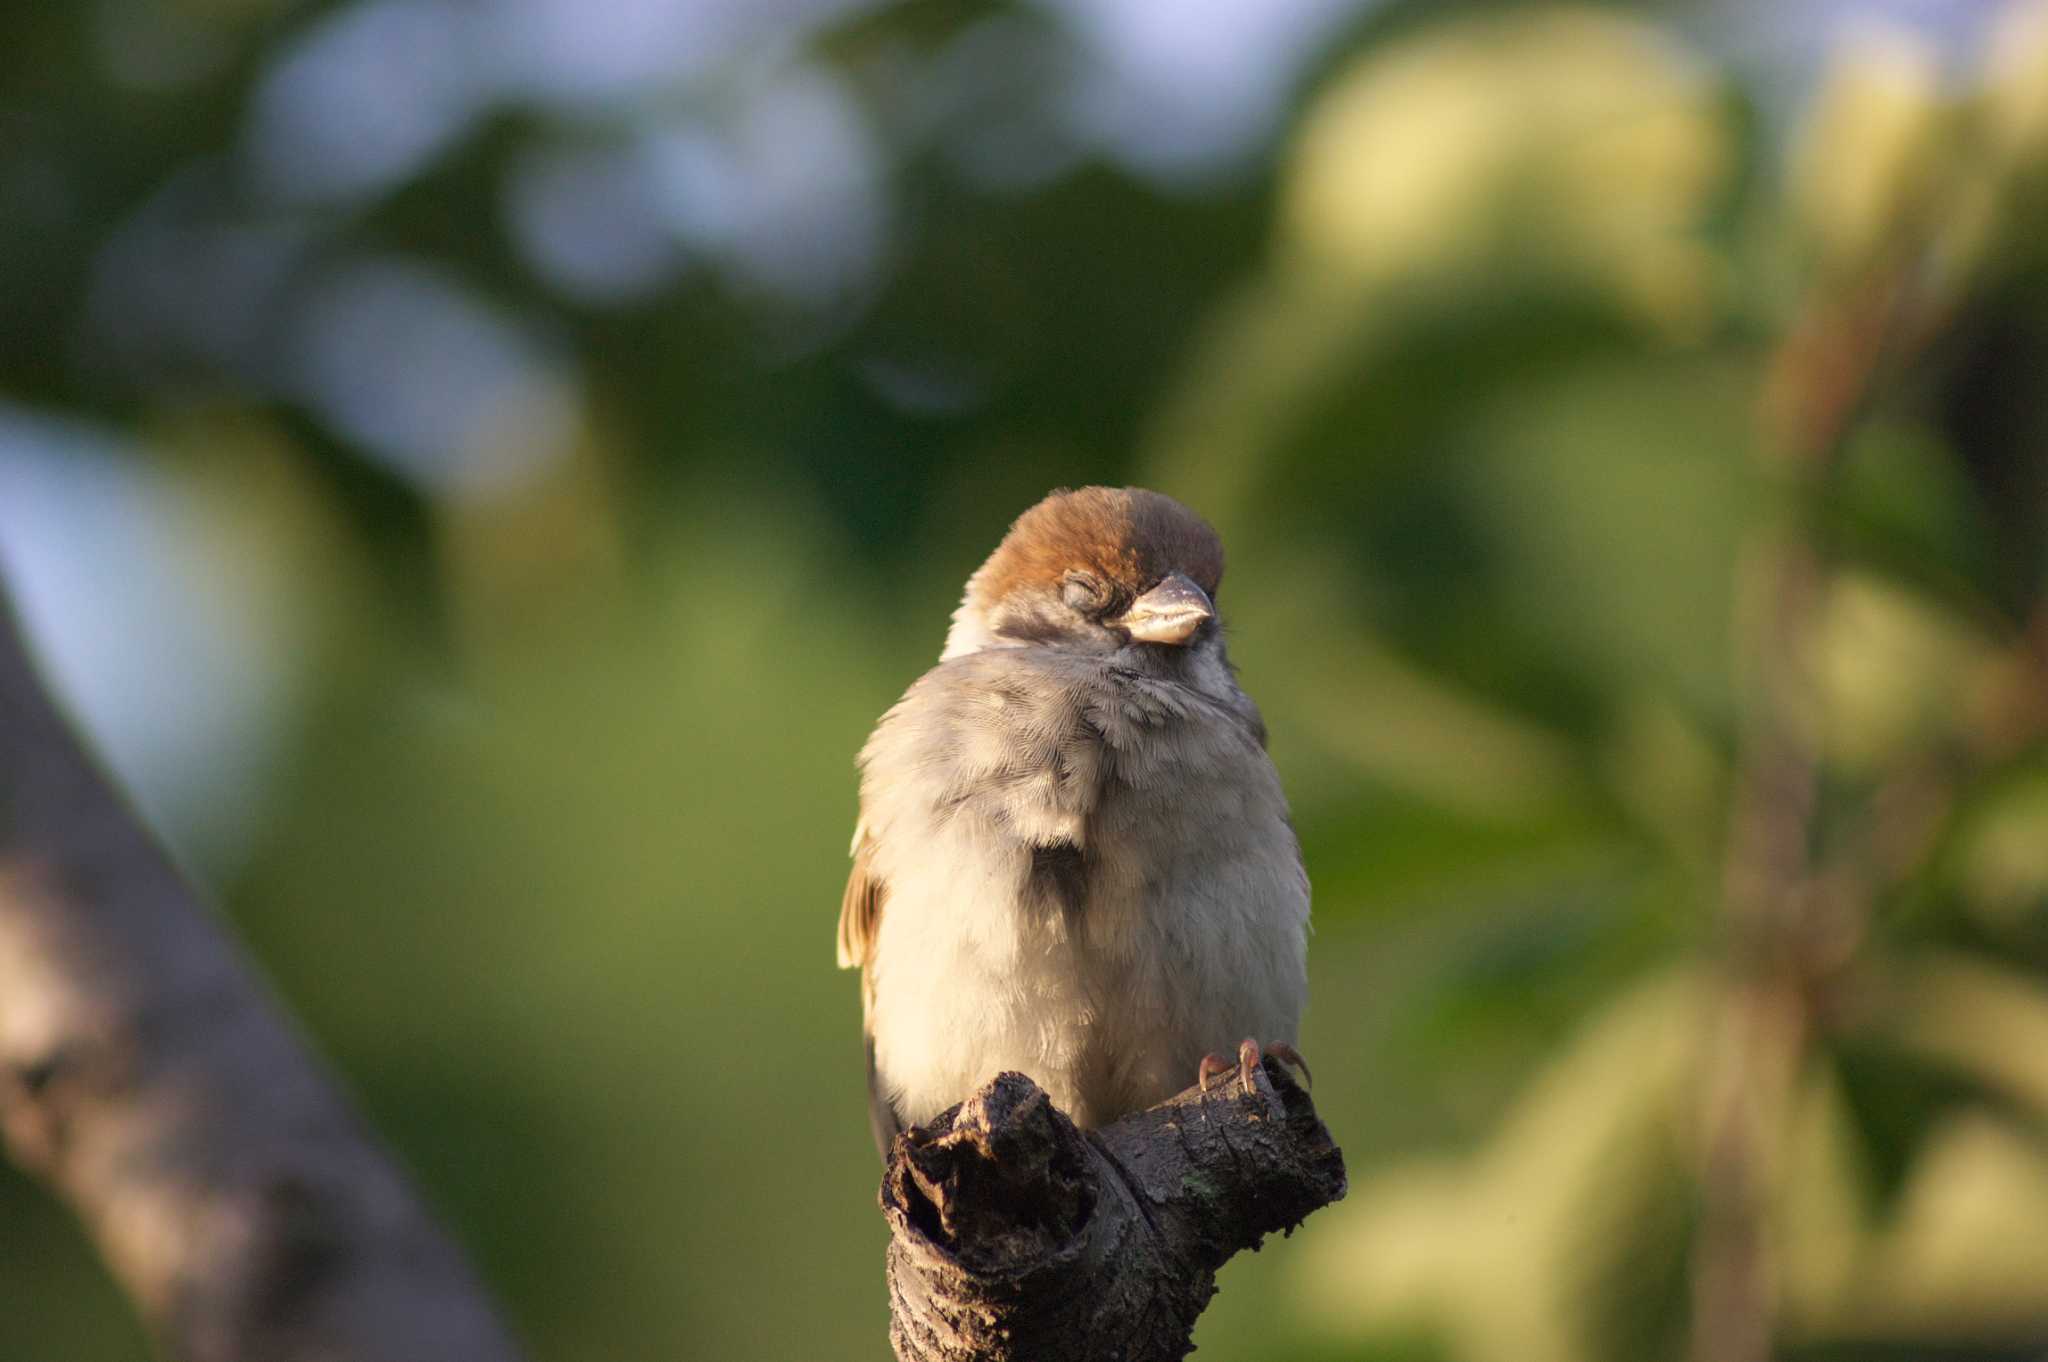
(1091, 880)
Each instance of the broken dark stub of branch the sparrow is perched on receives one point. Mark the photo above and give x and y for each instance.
(1021, 1238)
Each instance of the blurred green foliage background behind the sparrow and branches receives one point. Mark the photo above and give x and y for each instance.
(1633, 468)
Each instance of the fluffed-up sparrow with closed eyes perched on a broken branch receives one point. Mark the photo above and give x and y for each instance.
(1074, 857)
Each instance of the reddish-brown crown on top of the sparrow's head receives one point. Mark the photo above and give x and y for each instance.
(1125, 536)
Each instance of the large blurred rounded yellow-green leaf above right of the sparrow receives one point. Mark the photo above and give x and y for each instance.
(1486, 142)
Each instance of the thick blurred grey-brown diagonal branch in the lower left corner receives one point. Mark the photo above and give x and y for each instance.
(155, 1084)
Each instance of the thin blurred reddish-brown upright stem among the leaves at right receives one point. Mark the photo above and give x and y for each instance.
(1791, 923)
